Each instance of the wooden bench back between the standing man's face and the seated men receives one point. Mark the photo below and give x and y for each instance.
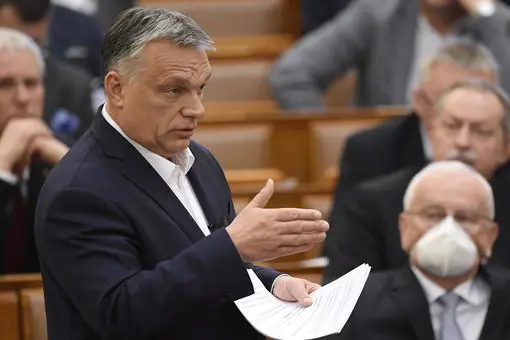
(306, 147)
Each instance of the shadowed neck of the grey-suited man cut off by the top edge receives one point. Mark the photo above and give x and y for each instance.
(442, 19)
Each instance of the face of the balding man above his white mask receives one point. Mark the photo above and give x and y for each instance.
(455, 193)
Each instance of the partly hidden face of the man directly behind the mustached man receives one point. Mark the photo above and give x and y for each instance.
(441, 76)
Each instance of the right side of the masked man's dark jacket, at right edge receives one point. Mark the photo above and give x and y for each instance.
(499, 304)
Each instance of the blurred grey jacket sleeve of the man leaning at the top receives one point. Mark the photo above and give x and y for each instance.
(300, 77)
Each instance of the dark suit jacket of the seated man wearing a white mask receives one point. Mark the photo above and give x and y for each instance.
(402, 311)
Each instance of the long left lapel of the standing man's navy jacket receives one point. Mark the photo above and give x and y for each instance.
(139, 172)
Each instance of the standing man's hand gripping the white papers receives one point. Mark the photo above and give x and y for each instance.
(292, 289)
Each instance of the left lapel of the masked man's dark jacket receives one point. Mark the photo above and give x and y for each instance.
(408, 295)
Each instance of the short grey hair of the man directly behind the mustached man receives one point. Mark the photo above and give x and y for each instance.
(464, 53)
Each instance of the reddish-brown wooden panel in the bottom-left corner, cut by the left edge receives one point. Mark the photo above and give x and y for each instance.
(9, 316)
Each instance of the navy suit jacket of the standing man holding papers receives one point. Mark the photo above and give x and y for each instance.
(121, 258)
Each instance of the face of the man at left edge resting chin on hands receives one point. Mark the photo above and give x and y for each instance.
(21, 89)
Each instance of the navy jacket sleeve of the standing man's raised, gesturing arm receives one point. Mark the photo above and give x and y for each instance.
(87, 245)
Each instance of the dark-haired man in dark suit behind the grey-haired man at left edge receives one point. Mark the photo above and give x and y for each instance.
(68, 104)
